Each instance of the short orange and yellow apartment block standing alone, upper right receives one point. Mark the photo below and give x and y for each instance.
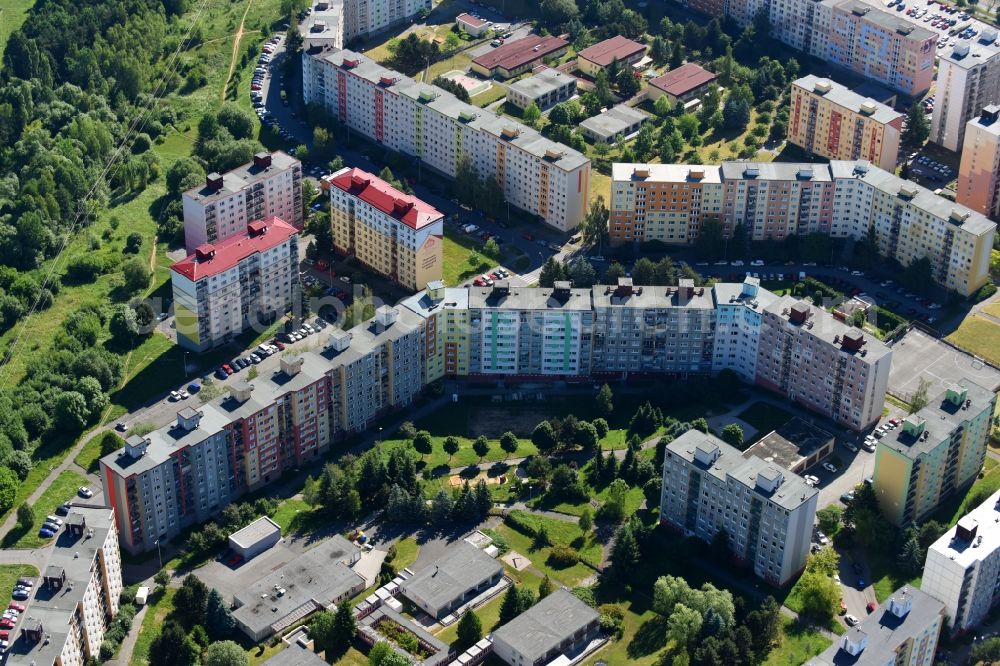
(829, 120)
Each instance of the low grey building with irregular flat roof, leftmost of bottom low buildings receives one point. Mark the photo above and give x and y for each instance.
(317, 579)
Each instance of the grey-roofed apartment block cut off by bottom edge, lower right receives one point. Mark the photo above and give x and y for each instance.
(902, 631)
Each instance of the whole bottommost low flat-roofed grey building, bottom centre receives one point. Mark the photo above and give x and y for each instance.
(557, 626)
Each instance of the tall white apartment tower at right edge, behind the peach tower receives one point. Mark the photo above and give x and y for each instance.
(968, 79)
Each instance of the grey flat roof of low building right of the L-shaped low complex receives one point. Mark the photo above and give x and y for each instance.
(463, 567)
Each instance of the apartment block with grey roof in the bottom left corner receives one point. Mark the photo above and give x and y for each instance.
(77, 598)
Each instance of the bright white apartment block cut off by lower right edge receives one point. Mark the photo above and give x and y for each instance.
(963, 567)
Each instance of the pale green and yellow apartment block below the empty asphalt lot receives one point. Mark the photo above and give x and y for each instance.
(936, 452)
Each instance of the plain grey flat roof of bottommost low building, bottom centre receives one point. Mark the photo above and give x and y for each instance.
(545, 625)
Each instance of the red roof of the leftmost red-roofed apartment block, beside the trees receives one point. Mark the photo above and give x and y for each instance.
(211, 259)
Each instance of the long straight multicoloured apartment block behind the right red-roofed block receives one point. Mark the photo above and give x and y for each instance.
(542, 177)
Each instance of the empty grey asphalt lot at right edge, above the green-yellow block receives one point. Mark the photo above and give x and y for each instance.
(920, 355)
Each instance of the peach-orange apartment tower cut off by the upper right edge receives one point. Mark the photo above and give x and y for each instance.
(978, 184)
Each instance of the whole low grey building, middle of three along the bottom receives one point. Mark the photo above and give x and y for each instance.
(456, 577)
